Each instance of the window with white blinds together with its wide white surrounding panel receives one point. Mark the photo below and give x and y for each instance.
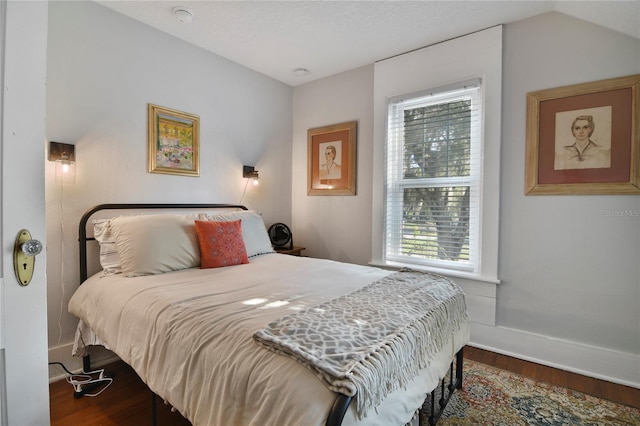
(447, 67)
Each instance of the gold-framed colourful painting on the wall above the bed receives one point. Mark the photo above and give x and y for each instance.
(173, 141)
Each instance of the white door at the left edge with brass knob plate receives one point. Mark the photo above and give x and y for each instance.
(23, 331)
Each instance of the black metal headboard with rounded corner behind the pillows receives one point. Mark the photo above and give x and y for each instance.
(82, 232)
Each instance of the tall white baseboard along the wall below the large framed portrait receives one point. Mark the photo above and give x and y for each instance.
(601, 363)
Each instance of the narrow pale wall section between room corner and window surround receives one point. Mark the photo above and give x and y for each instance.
(334, 227)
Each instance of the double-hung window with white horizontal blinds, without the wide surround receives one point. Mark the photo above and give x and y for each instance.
(434, 145)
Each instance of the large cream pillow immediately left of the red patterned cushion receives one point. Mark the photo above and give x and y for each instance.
(154, 244)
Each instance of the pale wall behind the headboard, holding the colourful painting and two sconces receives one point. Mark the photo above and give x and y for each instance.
(103, 69)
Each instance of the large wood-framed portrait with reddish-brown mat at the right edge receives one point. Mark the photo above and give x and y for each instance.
(584, 138)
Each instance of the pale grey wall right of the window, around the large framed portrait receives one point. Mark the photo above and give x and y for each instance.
(568, 269)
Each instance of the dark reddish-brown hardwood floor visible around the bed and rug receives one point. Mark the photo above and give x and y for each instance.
(128, 401)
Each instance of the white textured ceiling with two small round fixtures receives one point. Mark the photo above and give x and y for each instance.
(328, 37)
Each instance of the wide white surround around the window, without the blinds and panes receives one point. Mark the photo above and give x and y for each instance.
(434, 66)
